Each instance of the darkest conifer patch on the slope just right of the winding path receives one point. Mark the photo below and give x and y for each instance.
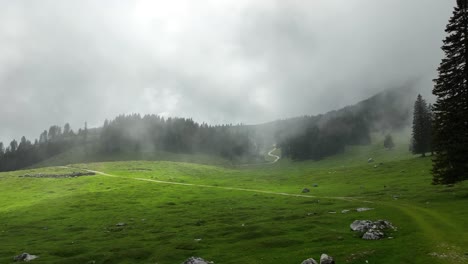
(318, 137)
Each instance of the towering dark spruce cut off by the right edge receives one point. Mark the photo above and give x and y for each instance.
(451, 108)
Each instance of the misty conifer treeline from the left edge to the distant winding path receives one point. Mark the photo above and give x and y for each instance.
(133, 133)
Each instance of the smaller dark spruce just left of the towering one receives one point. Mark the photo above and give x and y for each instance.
(421, 127)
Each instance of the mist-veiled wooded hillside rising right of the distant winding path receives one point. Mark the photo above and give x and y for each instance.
(324, 135)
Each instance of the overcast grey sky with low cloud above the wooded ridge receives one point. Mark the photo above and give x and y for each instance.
(216, 61)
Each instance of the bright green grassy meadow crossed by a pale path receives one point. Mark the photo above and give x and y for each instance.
(253, 214)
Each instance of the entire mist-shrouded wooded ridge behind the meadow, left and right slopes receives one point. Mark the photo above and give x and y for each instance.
(151, 137)
